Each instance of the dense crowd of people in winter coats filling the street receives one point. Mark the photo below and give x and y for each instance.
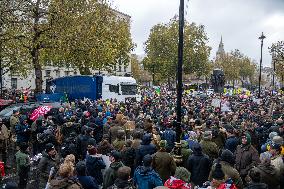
(115, 145)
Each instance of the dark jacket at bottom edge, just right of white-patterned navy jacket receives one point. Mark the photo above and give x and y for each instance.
(110, 174)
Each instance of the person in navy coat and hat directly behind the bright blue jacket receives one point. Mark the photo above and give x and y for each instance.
(145, 148)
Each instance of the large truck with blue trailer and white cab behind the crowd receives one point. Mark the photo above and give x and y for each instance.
(95, 87)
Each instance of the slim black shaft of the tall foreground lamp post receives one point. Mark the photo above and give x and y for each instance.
(179, 69)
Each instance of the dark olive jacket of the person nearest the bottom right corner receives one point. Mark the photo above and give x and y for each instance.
(269, 175)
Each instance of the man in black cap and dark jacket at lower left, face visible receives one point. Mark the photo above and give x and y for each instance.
(47, 161)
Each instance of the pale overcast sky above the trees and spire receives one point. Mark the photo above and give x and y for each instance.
(240, 22)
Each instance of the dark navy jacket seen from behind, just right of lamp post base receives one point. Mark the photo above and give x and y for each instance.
(199, 166)
